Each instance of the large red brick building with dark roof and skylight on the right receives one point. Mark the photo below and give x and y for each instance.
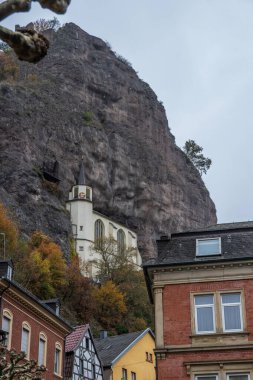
(202, 286)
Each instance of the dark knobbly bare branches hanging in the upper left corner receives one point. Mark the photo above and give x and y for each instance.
(29, 45)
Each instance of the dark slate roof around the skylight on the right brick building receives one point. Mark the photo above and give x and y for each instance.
(236, 243)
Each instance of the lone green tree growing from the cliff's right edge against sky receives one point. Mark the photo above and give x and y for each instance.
(194, 152)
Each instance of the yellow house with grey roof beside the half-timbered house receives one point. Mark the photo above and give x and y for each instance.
(128, 356)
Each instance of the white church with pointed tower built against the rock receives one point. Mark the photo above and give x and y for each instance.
(89, 225)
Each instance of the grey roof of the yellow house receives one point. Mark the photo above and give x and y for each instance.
(111, 348)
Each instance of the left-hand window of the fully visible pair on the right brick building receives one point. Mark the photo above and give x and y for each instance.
(204, 313)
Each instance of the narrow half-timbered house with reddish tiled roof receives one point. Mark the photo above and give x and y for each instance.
(81, 359)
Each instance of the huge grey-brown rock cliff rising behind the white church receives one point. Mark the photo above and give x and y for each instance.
(83, 100)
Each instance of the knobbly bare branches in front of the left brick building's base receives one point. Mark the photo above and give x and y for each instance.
(13, 366)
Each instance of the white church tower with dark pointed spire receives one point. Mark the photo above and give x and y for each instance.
(80, 207)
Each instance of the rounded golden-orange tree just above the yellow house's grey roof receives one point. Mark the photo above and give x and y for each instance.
(110, 305)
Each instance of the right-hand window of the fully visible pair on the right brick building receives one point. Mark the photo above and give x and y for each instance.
(231, 312)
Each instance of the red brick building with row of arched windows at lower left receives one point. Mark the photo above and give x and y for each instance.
(33, 326)
